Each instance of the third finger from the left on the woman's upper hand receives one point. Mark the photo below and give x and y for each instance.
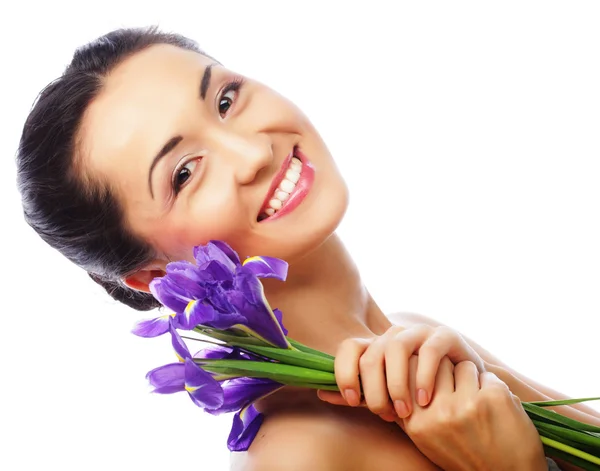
(398, 351)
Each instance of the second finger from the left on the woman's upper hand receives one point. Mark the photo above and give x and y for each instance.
(372, 378)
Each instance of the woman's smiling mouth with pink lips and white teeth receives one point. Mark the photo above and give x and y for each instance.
(289, 186)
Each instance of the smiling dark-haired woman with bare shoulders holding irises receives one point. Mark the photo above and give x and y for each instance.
(147, 147)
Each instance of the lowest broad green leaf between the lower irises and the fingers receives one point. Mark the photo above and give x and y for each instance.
(261, 369)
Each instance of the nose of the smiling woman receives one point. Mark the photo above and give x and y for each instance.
(248, 156)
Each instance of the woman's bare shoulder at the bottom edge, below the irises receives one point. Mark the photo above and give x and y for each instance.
(301, 441)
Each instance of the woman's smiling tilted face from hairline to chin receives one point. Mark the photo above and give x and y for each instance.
(196, 152)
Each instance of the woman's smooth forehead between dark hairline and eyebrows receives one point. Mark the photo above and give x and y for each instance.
(139, 107)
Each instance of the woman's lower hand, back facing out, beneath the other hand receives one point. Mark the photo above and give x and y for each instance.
(473, 422)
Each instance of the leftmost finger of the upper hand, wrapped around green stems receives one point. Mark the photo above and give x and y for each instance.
(347, 370)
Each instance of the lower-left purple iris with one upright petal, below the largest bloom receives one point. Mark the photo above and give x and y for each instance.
(204, 390)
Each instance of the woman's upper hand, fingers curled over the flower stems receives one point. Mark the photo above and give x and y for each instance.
(381, 365)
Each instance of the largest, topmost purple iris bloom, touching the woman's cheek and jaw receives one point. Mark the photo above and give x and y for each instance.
(218, 292)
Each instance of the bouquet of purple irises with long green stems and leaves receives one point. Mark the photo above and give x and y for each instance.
(250, 356)
